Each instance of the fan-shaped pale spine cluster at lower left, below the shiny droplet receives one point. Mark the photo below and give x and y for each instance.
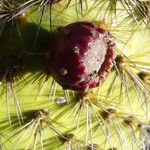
(33, 128)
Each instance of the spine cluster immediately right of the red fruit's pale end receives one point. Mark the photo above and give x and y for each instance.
(126, 70)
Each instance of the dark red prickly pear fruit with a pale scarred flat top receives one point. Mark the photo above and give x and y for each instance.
(80, 56)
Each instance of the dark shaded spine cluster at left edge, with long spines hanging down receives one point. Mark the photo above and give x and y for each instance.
(11, 69)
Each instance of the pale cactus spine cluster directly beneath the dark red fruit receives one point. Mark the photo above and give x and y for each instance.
(88, 103)
